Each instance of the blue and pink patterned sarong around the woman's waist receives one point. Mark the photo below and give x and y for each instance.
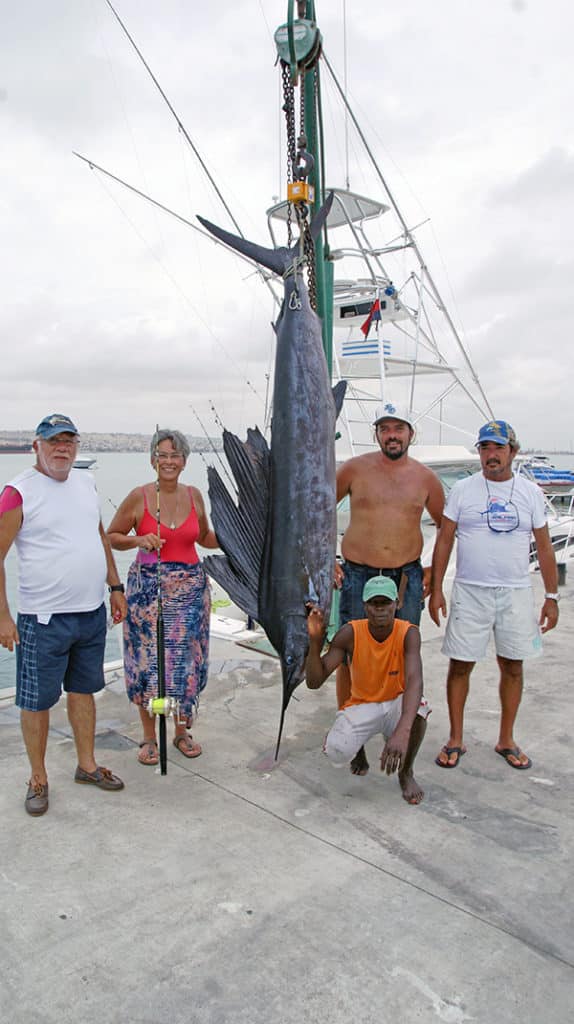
(187, 606)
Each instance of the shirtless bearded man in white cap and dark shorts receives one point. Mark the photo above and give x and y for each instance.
(388, 493)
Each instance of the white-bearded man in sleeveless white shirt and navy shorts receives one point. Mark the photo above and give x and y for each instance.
(52, 514)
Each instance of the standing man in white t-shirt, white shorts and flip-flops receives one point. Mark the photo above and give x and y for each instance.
(494, 517)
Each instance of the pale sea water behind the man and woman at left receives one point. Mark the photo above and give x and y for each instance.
(116, 474)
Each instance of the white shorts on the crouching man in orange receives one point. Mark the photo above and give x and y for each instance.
(356, 726)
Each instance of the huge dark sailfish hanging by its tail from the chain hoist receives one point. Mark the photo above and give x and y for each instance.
(280, 536)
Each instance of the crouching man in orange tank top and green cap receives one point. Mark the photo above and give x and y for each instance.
(384, 657)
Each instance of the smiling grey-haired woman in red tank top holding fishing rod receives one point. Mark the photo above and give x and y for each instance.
(186, 593)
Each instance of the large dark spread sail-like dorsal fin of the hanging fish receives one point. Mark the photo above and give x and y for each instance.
(241, 526)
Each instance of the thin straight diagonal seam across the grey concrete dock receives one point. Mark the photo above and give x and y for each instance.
(417, 887)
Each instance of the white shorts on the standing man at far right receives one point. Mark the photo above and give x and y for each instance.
(477, 613)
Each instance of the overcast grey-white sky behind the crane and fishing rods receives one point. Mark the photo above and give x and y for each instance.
(122, 318)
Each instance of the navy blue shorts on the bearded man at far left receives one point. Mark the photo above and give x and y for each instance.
(68, 652)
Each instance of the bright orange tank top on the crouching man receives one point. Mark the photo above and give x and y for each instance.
(377, 669)
